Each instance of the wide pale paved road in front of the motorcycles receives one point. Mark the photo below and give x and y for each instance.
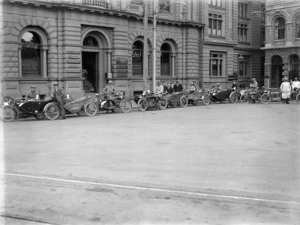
(216, 164)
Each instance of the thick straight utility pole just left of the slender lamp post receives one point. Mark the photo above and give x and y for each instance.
(145, 50)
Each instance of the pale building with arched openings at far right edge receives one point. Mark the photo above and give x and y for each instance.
(282, 49)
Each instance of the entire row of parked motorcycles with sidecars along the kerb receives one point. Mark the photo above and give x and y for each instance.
(12, 109)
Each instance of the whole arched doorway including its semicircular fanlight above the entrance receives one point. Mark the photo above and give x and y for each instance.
(96, 61)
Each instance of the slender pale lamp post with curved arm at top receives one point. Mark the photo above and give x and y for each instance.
(155, 14)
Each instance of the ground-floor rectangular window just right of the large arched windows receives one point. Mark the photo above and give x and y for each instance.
(216, 64)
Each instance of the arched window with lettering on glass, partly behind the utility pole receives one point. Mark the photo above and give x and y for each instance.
(137, 58)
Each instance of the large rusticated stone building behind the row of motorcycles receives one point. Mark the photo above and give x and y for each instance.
(84, 43)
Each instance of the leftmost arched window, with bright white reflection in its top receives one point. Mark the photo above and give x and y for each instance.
(31, 55)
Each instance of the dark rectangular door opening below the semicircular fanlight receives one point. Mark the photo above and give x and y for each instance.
(90, 71)
